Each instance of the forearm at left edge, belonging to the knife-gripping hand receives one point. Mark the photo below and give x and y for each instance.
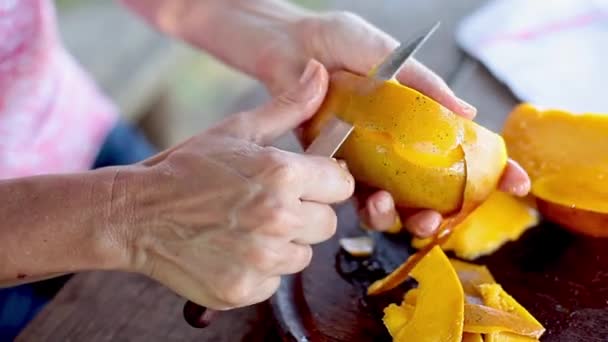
(58, 224)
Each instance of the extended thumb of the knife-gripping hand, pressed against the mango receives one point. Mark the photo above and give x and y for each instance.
(290, 109)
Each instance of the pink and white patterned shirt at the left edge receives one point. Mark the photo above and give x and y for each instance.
(52, 117)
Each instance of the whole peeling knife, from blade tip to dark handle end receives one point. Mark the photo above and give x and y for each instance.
(329, 141)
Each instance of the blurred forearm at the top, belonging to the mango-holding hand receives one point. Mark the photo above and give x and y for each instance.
(241, 33)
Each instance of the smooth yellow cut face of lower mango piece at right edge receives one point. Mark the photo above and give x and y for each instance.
(586, 190)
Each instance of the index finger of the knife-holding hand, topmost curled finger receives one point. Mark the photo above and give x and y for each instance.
(314, 178)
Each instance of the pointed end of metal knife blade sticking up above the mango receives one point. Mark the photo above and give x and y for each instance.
(391, 65)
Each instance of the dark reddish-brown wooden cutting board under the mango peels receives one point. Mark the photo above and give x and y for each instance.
(560, 277)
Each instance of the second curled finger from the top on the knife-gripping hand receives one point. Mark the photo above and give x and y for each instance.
(319, 223)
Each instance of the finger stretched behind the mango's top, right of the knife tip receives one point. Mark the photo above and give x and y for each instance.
(417, 76)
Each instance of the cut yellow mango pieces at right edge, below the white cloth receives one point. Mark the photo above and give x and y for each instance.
(565, 155)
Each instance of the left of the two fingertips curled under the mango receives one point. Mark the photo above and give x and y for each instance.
(379, 212)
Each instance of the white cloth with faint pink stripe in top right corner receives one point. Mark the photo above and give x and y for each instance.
(551, 53)
